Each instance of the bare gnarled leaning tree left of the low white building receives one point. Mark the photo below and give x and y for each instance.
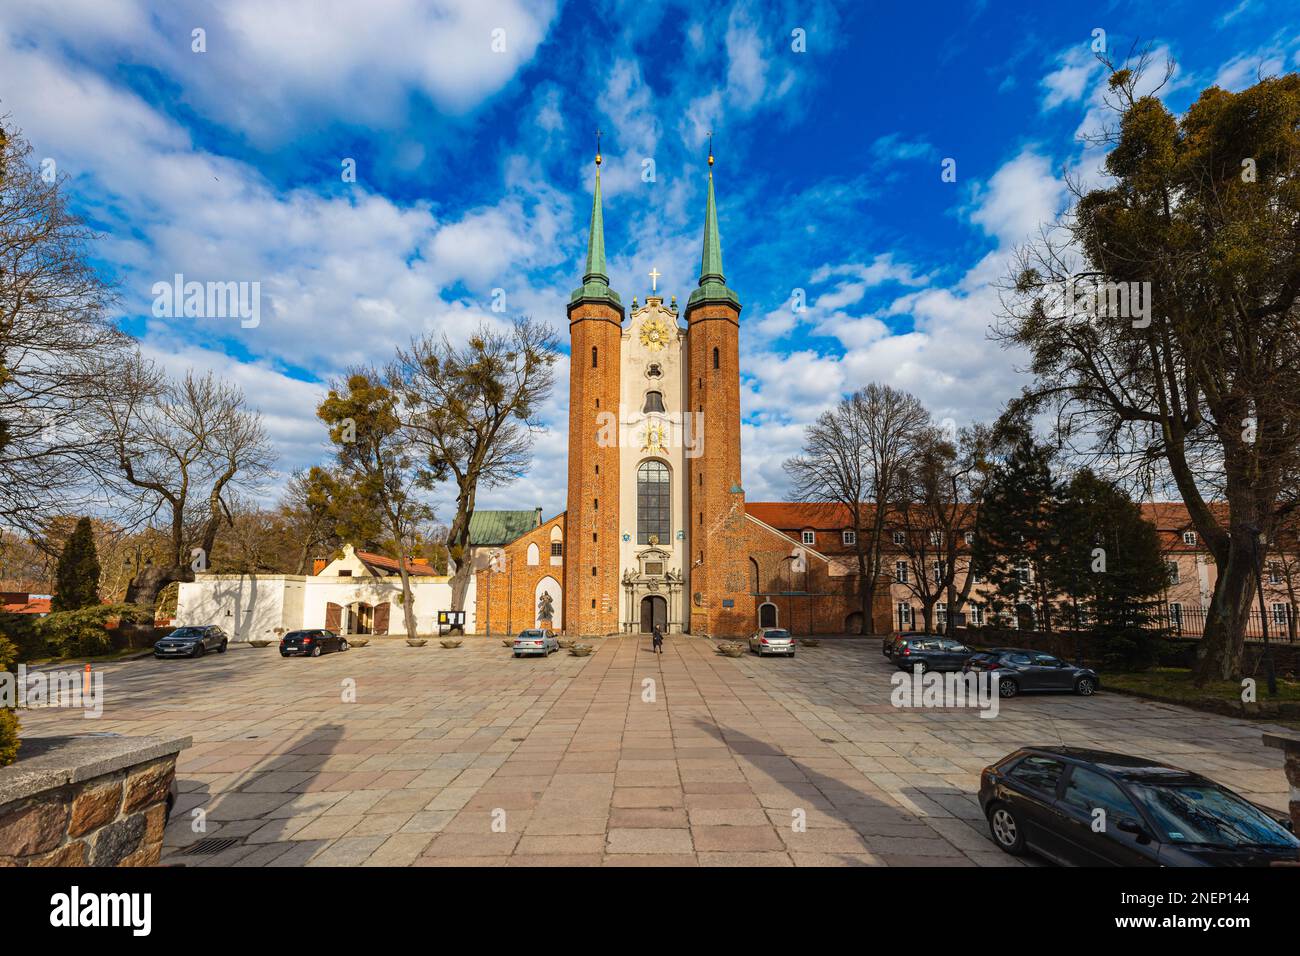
(183, 448)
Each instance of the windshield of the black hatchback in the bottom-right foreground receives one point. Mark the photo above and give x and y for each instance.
(1210, 816)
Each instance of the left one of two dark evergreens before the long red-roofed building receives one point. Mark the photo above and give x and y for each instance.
(1013, 530)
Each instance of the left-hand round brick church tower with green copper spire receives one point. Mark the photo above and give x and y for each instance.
(592, 524)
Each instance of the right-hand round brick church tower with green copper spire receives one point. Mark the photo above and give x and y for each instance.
(721, 599)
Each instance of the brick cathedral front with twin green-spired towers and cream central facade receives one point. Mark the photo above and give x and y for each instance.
(657, 531)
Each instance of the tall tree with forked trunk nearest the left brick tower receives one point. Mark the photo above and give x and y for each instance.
(473, 412)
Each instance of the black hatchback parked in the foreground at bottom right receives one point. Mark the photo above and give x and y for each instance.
(1093, 808)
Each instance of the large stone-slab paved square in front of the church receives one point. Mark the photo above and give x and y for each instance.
(471, 758)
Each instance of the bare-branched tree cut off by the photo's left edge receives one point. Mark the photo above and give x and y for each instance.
(54, 343)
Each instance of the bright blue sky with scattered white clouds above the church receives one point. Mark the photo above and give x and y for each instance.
(475, 174)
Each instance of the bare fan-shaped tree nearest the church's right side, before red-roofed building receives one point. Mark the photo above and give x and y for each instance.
(855, 456)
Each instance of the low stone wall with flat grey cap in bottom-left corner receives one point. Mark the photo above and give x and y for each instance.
(88, 802)
